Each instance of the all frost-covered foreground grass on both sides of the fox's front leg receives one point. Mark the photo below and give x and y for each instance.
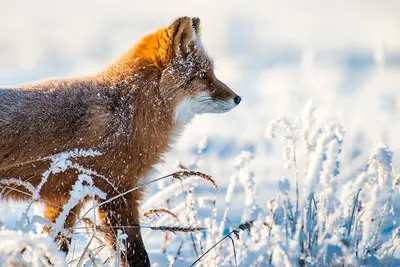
(317, 217)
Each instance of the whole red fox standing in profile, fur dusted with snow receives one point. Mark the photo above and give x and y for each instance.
(131, 112)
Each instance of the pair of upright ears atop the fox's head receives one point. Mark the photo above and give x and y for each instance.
(185, 30)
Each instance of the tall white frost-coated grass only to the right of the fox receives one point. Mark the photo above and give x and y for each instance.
(316, 217)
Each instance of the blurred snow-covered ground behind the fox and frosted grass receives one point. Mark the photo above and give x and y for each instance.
(277, 55)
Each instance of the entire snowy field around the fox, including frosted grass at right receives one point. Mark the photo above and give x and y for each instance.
(278, 55)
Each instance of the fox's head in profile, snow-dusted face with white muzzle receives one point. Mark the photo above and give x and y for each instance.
(186, 72)
